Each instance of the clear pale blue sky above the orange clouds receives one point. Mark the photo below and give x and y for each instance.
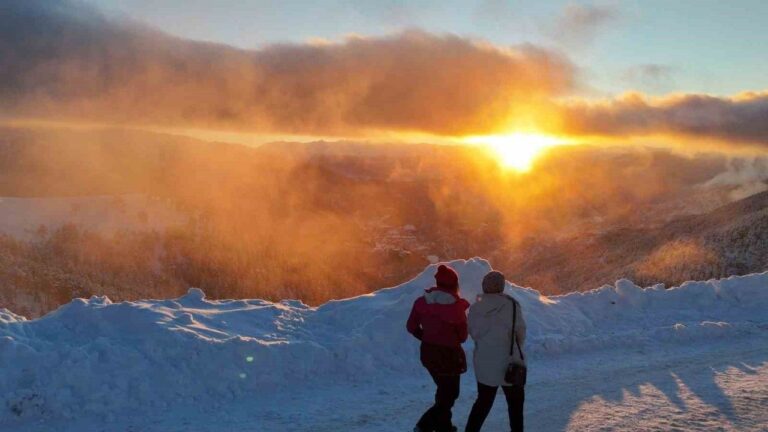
(655, 46)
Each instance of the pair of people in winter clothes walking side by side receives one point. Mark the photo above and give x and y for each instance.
(496, 325)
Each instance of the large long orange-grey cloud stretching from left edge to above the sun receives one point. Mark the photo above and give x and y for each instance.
(61, 60)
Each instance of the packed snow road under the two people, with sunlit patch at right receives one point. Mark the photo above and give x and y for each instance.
(719, 387)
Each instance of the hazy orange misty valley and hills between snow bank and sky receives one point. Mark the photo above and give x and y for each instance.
(138, 214)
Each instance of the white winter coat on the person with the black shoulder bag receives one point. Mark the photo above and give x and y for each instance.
(490, 325)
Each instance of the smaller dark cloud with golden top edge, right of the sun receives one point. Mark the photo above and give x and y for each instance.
(738, 119)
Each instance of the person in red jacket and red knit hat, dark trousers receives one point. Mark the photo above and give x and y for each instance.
(438, 319)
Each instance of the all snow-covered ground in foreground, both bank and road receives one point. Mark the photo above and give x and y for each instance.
(620, 357)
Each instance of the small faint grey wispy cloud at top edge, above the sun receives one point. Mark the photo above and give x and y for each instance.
(579, 24)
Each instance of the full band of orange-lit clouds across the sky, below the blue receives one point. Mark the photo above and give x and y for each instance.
(409, 85)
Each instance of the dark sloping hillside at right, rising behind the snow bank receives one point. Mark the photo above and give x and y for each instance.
(730, 240)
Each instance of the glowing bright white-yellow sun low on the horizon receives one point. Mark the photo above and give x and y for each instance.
(517, 150)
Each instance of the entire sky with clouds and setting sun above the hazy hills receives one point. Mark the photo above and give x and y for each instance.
(518, 76)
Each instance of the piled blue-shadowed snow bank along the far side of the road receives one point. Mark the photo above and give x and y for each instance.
(99, 358)
